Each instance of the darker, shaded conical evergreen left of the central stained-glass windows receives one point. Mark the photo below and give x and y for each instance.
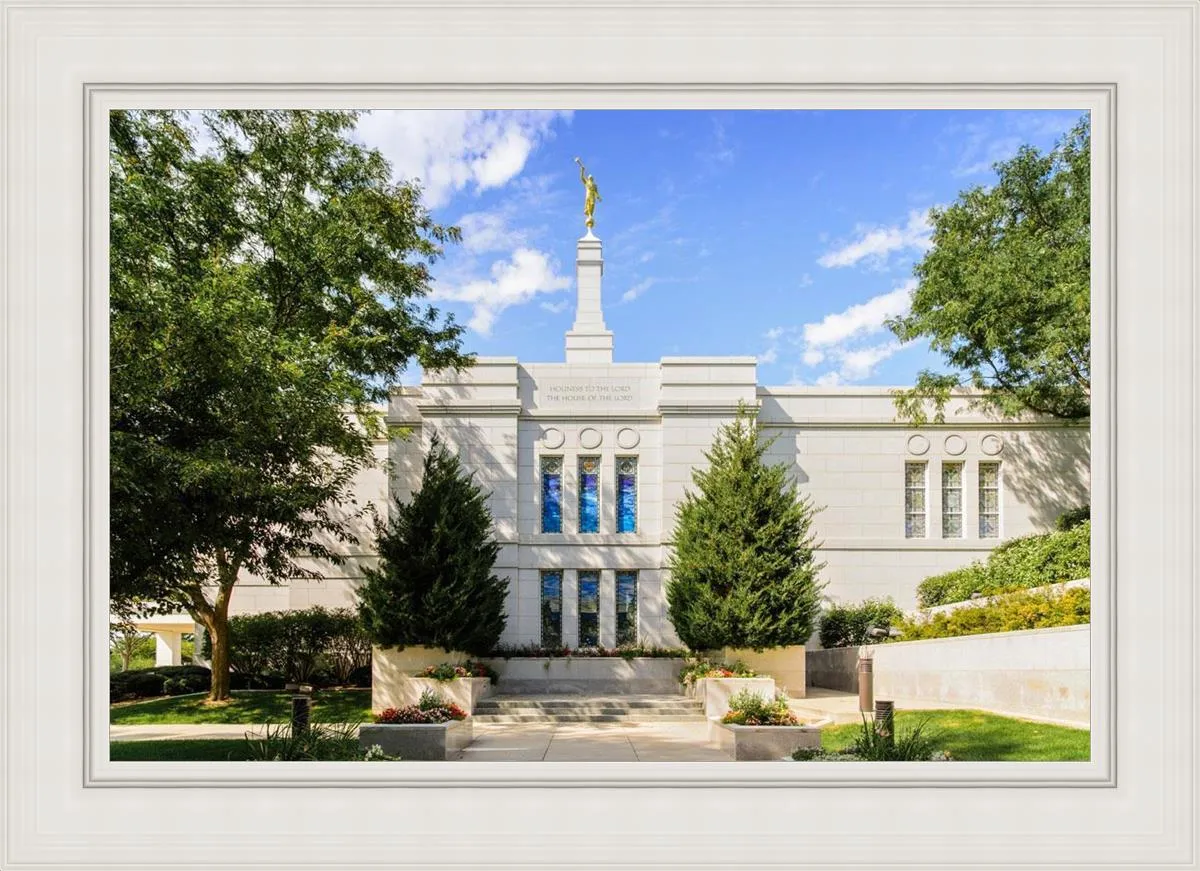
(435, 585)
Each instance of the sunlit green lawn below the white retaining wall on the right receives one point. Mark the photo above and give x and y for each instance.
(979, 737)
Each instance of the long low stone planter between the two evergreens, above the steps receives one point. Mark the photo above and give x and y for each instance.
(602, 676)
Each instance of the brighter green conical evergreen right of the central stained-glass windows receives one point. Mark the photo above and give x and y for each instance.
(743, 572)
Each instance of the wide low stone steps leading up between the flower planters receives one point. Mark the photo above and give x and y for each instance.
(586, 710)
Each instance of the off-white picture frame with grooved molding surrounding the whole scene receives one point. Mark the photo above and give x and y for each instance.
(1133, 67)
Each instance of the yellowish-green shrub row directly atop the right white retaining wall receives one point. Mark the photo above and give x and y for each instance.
(1010, 614)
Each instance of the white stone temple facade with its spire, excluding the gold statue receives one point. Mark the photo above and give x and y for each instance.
(844, 447)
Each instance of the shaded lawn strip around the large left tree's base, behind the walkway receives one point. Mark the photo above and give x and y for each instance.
(260, 707)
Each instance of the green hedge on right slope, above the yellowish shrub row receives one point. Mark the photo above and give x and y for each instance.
(1033, 561)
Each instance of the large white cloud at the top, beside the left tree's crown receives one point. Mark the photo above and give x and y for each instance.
(453, 149)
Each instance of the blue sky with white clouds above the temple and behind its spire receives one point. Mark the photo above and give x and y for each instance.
(787, 236)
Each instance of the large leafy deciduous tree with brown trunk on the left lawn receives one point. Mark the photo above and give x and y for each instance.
(265, 290)
